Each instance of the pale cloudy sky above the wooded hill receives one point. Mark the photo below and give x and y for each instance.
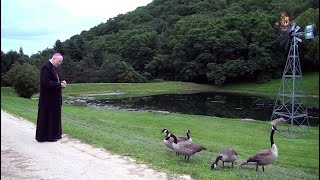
(36, 25)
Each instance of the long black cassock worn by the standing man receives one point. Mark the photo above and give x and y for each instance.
(49, 107)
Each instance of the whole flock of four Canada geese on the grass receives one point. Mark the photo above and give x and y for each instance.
(184, 146)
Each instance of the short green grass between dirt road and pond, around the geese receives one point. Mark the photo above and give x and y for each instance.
(137, 134)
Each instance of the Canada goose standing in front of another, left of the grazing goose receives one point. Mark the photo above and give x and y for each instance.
(185, 148)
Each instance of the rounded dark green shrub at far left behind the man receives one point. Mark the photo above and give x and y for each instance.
(24, 78)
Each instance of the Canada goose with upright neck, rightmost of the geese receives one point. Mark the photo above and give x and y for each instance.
(267, 156)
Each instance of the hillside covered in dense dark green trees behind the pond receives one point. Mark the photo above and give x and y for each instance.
(203, 41)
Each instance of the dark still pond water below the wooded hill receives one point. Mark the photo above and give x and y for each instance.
(218, 104)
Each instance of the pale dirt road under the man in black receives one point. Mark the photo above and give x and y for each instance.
(22, 157)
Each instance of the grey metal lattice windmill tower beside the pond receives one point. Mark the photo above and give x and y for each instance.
(289, 107)
